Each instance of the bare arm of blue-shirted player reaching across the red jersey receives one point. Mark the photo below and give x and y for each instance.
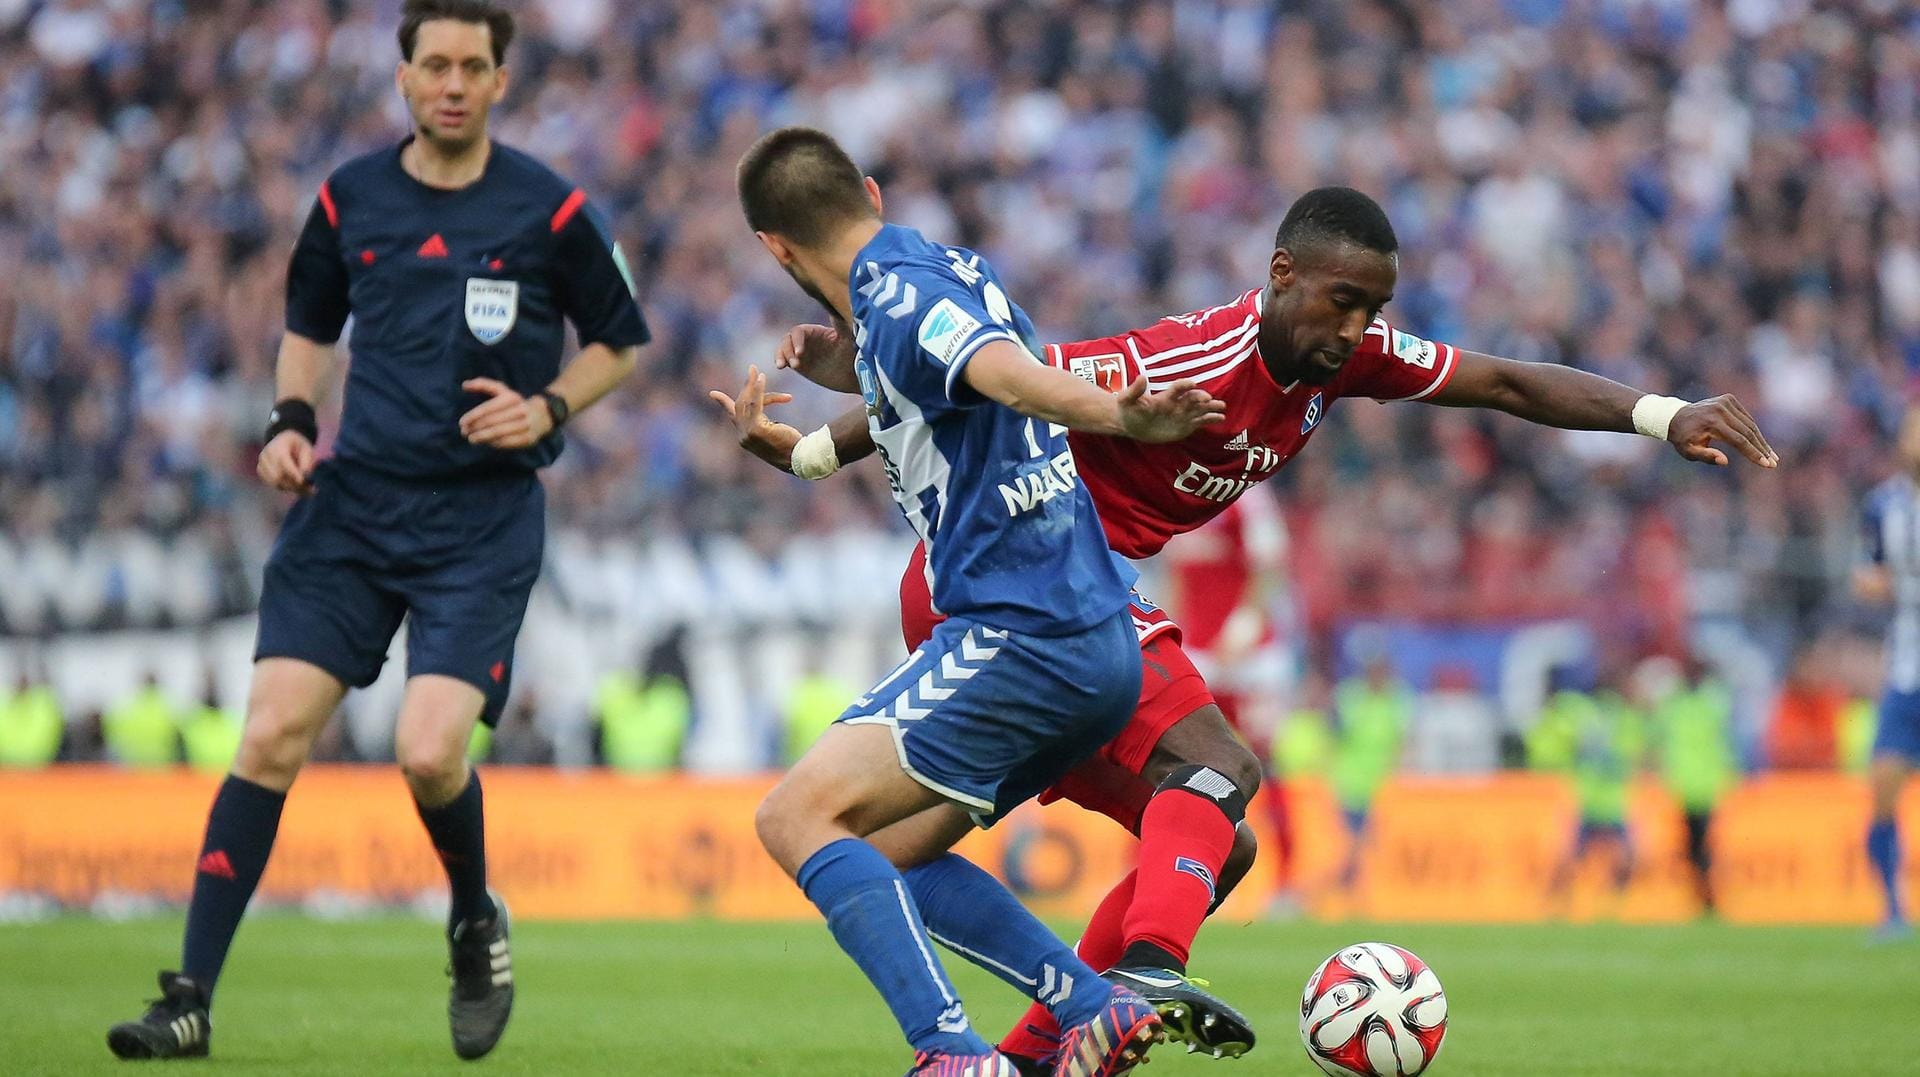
(1007, 373)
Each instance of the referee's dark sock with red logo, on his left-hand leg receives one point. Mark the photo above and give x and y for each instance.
(241, 830)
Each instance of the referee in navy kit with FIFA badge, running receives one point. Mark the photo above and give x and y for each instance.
(458, 260)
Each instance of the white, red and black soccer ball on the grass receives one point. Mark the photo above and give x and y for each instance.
(1374, 1011)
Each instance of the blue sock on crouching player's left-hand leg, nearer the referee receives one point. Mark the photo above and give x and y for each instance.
(875, 921)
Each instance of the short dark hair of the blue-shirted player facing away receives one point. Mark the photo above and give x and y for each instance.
(798, 183)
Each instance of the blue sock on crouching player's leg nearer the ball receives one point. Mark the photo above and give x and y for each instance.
(974, 917)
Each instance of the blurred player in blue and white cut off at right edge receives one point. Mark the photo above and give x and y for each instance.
(1892, 575)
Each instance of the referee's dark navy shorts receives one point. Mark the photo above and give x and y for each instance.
(458, 560)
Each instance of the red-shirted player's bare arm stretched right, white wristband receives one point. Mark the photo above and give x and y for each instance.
(1573, 400)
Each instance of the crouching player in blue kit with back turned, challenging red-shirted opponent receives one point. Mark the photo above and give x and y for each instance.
(1038, 663)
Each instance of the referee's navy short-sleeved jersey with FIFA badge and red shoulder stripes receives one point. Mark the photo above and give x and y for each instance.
(452, 285)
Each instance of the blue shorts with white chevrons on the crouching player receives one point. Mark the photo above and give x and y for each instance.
(990, 719)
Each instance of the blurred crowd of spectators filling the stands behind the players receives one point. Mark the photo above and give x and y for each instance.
(1691, 197)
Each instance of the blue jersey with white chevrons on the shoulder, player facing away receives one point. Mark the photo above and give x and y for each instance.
(1011, 533)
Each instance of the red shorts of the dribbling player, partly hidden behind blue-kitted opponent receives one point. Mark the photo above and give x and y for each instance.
(1170, 690)
